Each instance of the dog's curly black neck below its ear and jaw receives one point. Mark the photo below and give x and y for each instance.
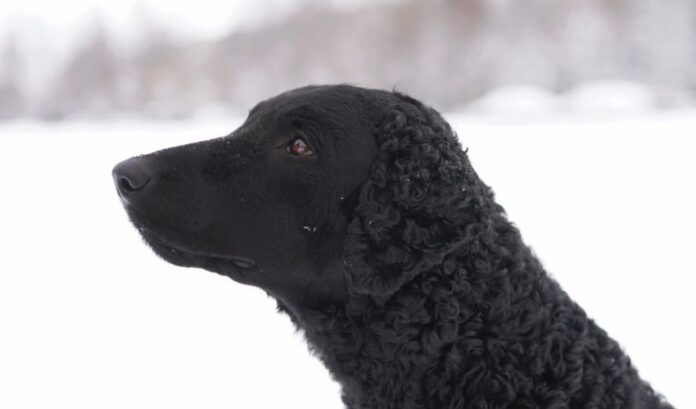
(469, 327)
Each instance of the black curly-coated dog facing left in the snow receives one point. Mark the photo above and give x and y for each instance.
(360, 213)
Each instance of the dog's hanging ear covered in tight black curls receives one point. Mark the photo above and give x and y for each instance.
(422, 201)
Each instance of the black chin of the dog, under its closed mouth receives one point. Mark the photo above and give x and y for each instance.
(236, 267)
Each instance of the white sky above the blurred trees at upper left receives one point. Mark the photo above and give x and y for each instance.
(47, 31)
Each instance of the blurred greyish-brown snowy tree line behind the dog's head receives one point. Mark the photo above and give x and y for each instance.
(445, 51)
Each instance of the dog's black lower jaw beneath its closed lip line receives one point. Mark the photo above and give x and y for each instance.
(176, 253)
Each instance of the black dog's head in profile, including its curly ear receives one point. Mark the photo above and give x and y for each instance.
(322, 192)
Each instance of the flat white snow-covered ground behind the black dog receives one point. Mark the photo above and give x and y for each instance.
(89, 318)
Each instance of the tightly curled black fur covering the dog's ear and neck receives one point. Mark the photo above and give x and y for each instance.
(440, 304)
